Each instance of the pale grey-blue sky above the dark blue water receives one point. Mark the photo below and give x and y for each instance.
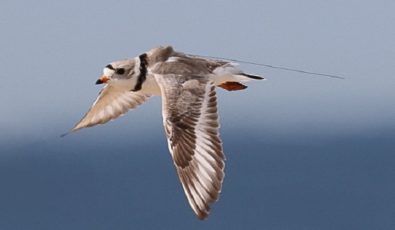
(52, 49)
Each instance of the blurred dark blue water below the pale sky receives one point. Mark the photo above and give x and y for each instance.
(304, 183)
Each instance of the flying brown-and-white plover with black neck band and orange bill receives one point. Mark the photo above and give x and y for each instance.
(187, 84)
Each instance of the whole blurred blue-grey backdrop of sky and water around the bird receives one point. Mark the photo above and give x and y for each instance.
(303, 152)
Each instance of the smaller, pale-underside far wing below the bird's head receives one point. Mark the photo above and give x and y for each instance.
(111, 103)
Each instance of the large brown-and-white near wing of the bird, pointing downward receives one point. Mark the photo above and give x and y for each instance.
(190, 118)
